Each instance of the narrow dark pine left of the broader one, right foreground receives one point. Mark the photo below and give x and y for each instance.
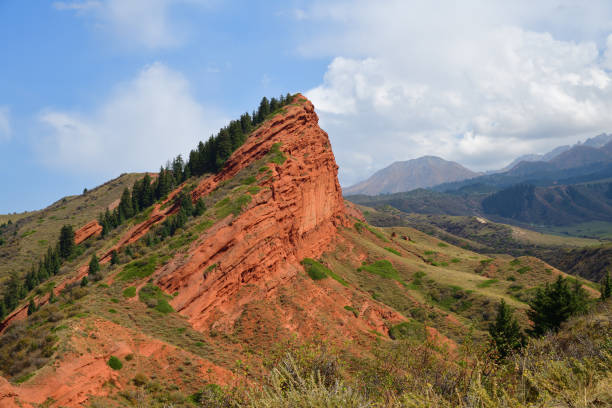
(506, 335)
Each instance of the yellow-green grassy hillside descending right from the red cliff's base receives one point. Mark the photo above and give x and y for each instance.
(438, 283)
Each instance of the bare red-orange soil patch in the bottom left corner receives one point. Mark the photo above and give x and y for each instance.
(83, 371)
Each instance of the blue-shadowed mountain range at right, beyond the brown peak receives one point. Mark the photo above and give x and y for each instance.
(572, 186)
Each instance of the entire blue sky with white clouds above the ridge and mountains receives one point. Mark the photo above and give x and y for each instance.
(93, 88)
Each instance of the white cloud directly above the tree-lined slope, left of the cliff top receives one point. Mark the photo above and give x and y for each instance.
(142, 124)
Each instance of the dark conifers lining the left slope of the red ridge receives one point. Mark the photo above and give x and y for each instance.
(209, 156)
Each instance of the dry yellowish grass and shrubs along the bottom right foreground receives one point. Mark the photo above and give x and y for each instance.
(574, 365)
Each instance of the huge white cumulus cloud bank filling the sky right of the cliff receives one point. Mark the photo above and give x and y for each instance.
(477, 82)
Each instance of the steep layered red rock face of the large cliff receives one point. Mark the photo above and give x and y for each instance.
(295, 215)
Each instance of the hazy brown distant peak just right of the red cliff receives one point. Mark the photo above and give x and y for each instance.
(426, 171)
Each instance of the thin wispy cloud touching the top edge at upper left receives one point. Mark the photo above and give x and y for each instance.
(142, 22)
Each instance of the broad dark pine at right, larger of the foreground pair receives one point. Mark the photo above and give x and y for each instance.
(554, 304)
